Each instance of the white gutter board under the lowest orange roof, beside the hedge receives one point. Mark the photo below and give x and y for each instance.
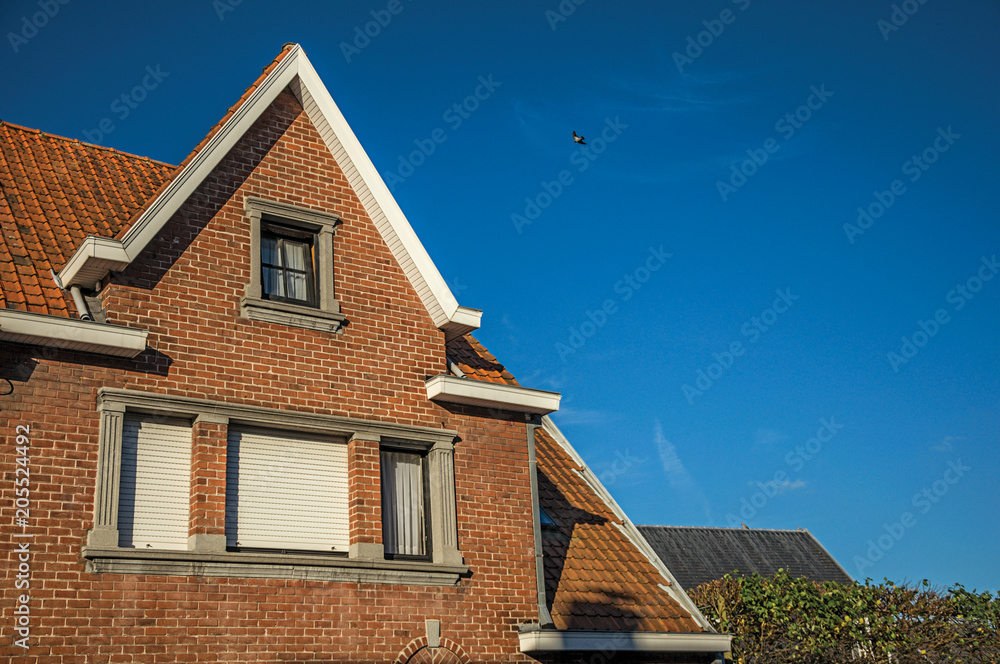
(541, 640)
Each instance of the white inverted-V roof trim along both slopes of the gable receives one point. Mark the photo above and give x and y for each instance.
(296, 71)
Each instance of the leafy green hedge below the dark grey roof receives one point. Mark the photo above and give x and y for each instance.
(779, 619)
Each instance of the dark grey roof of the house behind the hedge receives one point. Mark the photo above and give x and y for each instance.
(697, 555)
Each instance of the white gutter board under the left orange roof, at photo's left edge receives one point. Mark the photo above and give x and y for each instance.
(71, 334)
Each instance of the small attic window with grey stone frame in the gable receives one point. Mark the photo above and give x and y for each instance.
(291, 267)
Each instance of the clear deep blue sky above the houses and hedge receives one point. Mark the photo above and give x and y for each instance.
(849, 374)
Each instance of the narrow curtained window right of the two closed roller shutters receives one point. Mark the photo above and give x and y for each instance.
(402, 503)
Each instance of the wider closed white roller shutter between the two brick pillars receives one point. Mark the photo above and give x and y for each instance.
(286, 491)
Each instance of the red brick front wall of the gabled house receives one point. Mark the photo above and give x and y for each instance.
(185, 290)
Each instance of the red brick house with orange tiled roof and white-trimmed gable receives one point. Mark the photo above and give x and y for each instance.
(245, 420)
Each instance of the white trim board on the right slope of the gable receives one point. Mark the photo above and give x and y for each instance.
(384, 210)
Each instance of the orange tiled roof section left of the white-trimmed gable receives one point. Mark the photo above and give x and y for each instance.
(54, 192)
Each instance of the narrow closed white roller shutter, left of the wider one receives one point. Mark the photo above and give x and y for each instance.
(155, 485)
